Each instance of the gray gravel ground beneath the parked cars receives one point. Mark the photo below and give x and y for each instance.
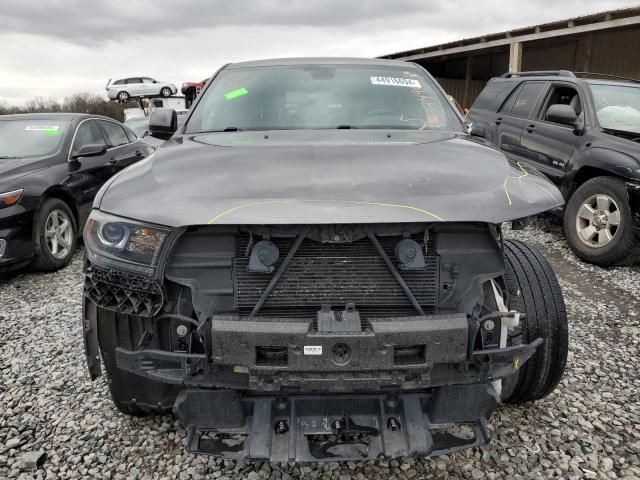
(588, 428)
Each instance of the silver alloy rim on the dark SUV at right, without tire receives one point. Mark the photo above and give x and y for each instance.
(597, 221)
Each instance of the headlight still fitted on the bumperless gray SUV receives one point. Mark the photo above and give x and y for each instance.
(124, 239)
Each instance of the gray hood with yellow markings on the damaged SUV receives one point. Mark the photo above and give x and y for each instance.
(326, 177)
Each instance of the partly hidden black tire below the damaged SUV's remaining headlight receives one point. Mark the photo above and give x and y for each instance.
(132, 394)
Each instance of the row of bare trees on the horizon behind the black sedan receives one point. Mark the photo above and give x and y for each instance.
(78, 103)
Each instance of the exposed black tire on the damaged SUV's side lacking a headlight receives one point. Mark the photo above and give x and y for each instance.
(534, 290)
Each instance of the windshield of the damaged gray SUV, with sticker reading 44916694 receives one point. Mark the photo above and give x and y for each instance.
(322, 97)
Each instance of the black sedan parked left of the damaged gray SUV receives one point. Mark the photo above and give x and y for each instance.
(51, 167)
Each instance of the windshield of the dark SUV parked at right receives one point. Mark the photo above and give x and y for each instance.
(617, 107)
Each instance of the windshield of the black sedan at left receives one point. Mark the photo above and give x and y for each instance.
(31, 138)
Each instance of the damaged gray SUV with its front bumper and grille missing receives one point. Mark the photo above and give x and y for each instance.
(313, 268)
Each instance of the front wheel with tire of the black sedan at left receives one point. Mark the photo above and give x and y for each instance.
(54, 235)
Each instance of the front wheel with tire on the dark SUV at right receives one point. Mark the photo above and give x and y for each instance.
(598, 223)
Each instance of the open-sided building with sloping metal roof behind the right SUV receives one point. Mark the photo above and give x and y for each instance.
(607, 42)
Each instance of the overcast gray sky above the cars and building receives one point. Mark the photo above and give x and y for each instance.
(55, 48)
